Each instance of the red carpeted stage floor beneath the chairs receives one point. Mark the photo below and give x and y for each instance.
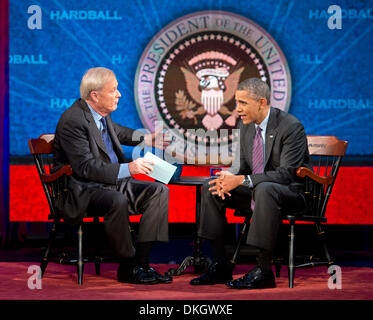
(60, 283)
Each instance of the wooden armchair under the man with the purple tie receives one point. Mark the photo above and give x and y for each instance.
(327, 153)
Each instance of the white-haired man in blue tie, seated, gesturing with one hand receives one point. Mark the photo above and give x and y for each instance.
(102, 182)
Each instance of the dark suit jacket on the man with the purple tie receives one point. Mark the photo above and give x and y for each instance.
(286, 149)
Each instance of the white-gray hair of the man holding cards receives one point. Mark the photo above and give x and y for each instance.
(93, 80)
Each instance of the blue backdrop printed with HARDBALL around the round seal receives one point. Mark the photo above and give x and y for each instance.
(331, 69)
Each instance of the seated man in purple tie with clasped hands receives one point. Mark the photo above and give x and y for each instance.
(262, 178)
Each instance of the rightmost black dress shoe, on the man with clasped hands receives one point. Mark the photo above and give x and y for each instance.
(255, 279)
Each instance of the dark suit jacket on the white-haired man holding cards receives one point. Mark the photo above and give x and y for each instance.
(78, 142)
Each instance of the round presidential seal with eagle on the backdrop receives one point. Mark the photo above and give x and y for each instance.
(188, 74)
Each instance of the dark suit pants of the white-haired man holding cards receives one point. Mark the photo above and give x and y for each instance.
(132, 197)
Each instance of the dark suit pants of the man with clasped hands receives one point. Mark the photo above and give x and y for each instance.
(270, 200)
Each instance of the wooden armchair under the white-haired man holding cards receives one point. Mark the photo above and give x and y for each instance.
(54, 186)
